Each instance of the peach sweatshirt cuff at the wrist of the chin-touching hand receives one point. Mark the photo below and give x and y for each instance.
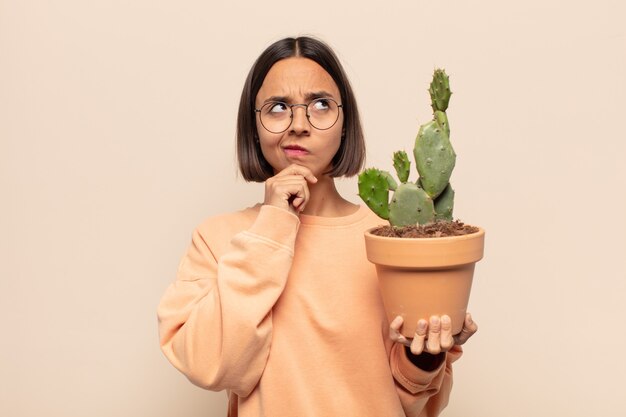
(276, 224)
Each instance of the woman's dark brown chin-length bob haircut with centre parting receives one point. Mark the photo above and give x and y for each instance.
(350, 157)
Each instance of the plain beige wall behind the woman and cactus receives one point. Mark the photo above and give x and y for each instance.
(116, 138)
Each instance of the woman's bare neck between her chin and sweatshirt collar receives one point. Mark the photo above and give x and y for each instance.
(325, 200)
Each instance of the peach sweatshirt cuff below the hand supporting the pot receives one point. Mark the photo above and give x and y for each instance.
(410, 376)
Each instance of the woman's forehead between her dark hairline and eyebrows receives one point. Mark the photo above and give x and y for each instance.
(295, 78)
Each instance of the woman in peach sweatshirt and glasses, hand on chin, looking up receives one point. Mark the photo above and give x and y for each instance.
(277, 304)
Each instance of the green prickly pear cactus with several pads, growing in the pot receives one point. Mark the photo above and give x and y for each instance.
(431, 197)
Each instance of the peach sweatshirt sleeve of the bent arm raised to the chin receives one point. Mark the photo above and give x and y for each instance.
(215, 320)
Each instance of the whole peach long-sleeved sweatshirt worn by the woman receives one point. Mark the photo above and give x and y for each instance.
(284, 313)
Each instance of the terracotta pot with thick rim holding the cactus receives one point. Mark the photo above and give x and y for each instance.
(421, 277)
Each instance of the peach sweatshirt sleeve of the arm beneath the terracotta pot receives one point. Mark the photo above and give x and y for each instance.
(423, 394)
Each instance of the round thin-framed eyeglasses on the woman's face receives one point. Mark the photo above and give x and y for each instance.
(276, 116)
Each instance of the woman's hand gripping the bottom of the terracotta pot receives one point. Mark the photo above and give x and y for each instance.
(433, 336)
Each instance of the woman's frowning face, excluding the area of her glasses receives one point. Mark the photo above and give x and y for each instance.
(293, 81)
